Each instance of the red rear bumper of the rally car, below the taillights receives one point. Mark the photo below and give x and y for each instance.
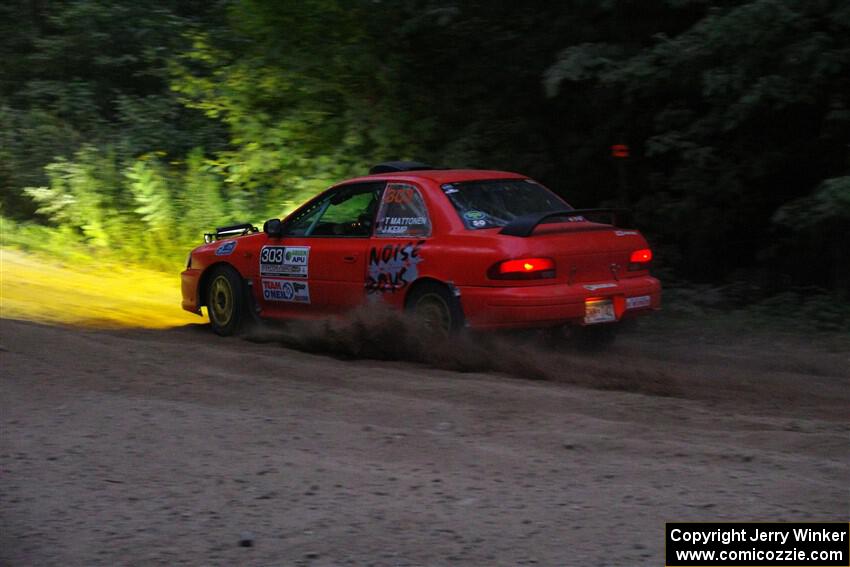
(557, 304)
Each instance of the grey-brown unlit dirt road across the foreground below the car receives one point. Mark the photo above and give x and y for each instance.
(168, 447)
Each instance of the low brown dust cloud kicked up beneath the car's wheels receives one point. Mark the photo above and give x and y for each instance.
(376, 333)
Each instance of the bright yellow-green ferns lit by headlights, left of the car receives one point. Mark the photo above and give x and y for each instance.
(146, 211)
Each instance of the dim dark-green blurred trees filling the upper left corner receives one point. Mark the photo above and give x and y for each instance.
(90, 73)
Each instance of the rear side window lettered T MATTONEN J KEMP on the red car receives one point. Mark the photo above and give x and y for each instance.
(402, 212)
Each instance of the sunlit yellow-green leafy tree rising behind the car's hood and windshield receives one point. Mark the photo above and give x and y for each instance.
(292, 103)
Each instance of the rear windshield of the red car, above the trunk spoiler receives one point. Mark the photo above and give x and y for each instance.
(495, 203)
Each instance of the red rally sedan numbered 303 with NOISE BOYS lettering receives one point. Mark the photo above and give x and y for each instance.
(458, 248)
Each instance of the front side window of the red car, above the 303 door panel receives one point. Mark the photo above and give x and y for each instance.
(346, 212)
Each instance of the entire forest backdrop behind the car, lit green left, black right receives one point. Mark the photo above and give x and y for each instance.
(134, 126)
